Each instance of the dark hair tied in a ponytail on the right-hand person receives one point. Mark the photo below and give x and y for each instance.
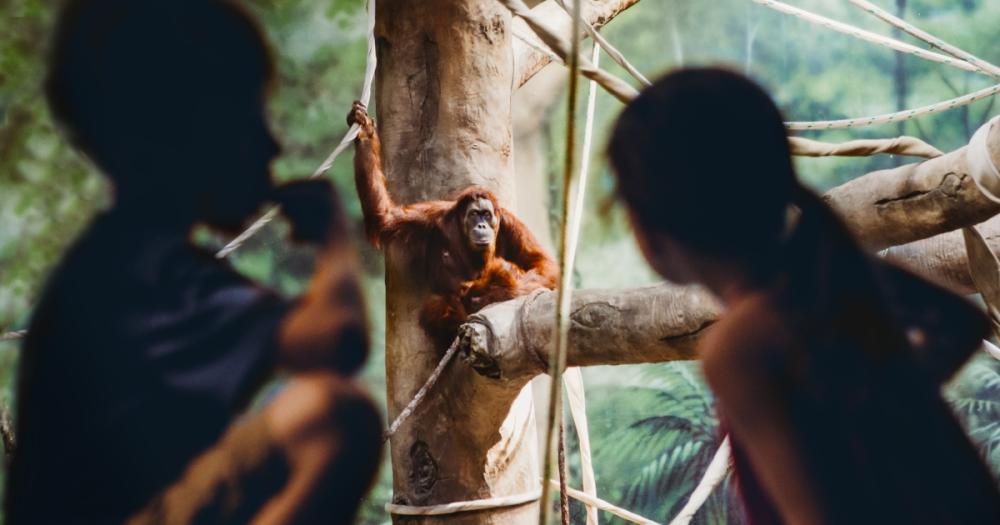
(702, 157)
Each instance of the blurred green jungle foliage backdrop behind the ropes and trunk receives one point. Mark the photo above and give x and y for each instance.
(653, 427)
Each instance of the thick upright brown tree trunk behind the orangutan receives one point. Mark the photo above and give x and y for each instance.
(445, 79)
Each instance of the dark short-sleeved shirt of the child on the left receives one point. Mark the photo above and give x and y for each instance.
(139, 354)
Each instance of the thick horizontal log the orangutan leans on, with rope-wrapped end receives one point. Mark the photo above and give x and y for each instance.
(511, 341)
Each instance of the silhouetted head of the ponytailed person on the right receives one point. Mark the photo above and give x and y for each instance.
(703, 165)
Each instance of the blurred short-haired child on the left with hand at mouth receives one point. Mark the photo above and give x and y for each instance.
(144, 347)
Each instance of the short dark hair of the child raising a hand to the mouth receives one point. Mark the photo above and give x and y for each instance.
(152, 70)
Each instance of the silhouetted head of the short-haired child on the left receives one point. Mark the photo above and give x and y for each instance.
(167, 97)
